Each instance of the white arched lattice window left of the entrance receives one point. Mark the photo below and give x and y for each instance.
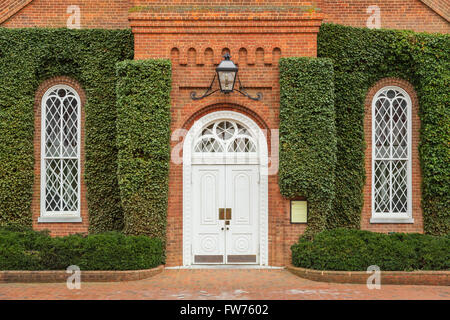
(60, 155)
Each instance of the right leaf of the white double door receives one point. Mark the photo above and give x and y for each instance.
(242, 245)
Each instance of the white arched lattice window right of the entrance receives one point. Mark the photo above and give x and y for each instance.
(391, 156)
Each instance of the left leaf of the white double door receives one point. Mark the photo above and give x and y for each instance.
(208, 196)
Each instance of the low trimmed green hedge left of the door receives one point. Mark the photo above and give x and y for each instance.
(32, 250)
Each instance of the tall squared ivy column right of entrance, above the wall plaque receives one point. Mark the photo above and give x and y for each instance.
(307, 135)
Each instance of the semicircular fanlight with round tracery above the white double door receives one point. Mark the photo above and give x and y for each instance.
(225, 136)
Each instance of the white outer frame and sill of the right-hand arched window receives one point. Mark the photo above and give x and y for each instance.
(393, 217)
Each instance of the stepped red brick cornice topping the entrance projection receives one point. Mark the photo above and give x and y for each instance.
(233, 19)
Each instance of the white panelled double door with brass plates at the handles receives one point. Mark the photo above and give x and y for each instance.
(225, 214)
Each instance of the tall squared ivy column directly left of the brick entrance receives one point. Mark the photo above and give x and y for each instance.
(143, 140)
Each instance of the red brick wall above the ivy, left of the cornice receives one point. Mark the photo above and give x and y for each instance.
(105, 14)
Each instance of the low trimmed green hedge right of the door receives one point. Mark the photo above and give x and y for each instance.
(355, 250)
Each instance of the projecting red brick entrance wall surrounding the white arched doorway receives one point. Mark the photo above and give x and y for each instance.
(195, 50)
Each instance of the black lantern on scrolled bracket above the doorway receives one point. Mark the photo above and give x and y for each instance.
(226, 73)
